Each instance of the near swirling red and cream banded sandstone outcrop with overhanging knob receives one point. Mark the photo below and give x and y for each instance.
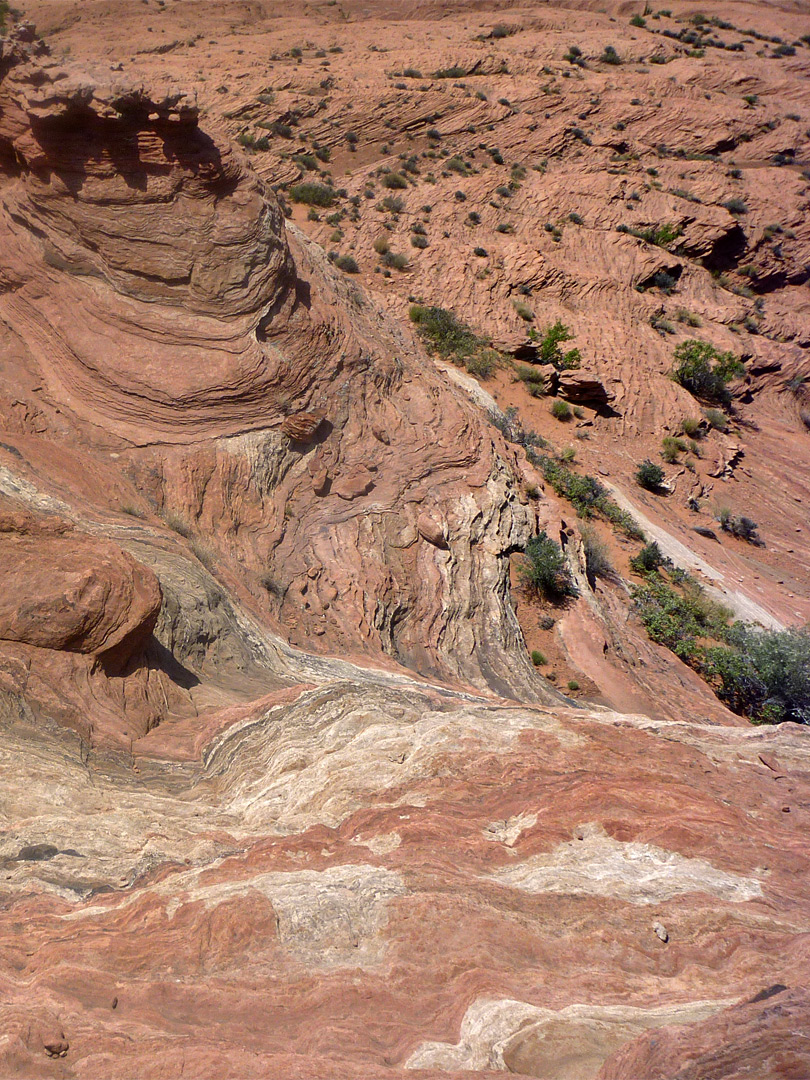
(283, 795)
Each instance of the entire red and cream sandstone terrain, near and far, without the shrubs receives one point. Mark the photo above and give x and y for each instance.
(283, 794)
